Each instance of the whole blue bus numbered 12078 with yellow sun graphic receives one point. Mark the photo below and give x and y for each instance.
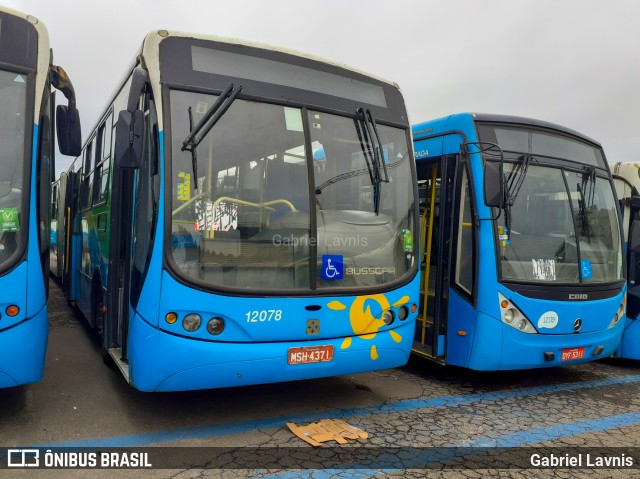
(244, 214)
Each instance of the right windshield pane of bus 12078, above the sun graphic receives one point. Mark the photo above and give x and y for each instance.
(368, 244)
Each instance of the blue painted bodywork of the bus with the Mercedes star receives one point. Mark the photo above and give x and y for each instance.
(489, 343)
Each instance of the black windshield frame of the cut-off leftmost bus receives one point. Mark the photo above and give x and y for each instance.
(27, 165)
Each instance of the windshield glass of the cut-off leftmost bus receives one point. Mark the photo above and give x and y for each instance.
(13, 99)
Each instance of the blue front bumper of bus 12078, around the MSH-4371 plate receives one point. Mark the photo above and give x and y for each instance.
(164, 362)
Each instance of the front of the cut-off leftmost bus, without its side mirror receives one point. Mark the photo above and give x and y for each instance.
(23, 312)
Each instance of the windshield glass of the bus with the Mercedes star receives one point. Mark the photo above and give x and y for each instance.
(559, 235)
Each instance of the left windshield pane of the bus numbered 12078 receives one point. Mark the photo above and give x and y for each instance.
(252, 196)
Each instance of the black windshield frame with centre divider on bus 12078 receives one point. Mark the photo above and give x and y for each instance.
(169, 263)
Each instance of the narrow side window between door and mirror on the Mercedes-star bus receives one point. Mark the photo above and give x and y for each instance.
(465, 248)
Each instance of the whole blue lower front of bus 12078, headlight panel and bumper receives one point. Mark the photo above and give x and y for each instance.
(164, 357)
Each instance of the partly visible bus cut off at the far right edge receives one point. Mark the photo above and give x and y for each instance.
(626, 178)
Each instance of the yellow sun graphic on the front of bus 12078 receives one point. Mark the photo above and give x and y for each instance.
(364, 322)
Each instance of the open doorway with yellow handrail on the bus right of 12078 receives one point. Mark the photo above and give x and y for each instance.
(437, 187)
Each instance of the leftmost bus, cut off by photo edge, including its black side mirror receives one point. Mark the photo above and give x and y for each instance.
(26, 169)
